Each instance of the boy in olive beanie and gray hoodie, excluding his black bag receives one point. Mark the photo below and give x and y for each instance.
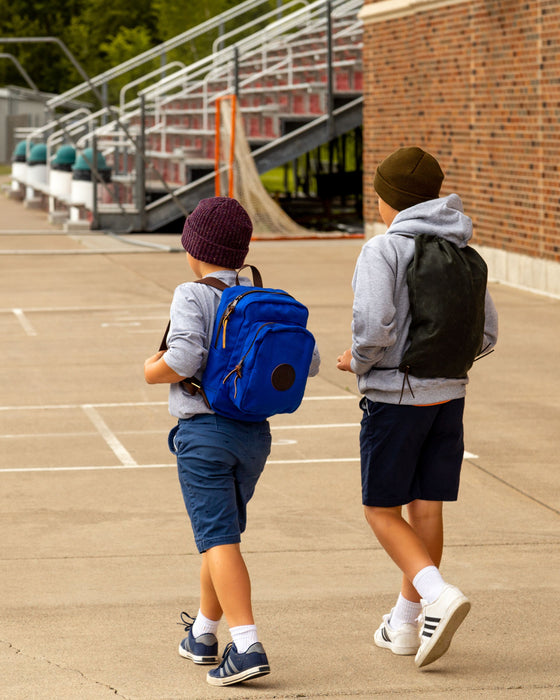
(411, 444)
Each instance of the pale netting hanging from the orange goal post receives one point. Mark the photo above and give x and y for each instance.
(269, 219)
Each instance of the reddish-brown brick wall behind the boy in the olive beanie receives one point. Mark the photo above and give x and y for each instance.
(478, 85)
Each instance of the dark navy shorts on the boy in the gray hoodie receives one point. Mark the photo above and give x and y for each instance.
(410, 452)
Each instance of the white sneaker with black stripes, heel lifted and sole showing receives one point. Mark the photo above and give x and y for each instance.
(441, 620)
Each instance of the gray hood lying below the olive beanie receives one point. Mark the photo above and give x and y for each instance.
(443, 217)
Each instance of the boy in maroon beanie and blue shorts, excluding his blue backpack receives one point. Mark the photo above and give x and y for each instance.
(219, 459)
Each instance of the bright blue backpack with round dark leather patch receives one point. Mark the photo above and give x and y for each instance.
(260, 354)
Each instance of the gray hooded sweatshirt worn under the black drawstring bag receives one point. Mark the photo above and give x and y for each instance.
(381, 311)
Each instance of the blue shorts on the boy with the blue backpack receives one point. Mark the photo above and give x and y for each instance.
(219, 462)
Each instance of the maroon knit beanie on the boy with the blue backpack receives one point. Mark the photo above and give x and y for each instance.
(218, 232)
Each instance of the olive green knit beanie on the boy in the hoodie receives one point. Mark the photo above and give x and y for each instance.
(407, 177)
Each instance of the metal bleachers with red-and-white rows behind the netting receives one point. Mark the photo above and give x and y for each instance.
(297, 74)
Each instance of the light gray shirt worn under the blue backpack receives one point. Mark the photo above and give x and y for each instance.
(192, 315)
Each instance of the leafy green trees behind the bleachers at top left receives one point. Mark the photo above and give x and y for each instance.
(99, 34)
